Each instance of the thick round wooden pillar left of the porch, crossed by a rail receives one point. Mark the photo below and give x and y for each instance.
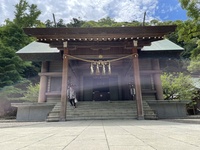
(43, 83)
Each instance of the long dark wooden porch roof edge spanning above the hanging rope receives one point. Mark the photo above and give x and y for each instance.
(100, 33)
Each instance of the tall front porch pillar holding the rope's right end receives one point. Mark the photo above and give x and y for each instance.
(138, 92)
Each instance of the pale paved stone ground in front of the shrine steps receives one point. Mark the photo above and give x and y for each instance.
(101, 135)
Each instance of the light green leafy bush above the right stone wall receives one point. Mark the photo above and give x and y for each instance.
(177, 86)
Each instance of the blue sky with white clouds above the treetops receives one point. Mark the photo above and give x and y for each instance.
(119, 10)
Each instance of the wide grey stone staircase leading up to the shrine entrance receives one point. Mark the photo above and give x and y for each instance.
(88, 110)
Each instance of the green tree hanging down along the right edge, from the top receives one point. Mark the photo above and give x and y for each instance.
(189, 31)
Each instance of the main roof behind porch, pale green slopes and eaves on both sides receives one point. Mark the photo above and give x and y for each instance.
(37, 51)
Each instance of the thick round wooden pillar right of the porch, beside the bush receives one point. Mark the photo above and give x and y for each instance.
(157, 80)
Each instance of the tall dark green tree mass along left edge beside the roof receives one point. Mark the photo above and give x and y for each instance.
(13, 38)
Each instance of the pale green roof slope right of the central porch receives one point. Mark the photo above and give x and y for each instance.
(162, 45)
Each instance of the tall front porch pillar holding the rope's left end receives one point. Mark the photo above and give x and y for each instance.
(64, 83)
